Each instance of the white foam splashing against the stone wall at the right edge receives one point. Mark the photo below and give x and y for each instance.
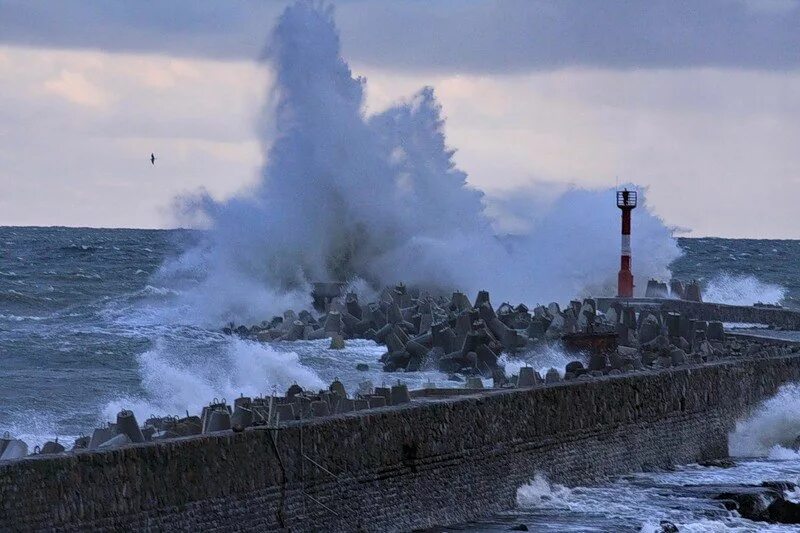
(771, 430)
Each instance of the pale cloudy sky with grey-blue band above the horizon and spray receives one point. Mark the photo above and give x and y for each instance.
(697, 100)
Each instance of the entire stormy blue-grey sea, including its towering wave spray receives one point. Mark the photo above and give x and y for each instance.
(93, 321)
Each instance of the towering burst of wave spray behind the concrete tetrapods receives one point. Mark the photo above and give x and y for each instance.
(344, 196)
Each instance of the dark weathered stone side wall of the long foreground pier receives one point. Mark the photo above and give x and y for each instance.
(433, 461)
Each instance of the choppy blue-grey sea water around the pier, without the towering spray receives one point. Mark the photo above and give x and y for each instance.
(83, 334)
